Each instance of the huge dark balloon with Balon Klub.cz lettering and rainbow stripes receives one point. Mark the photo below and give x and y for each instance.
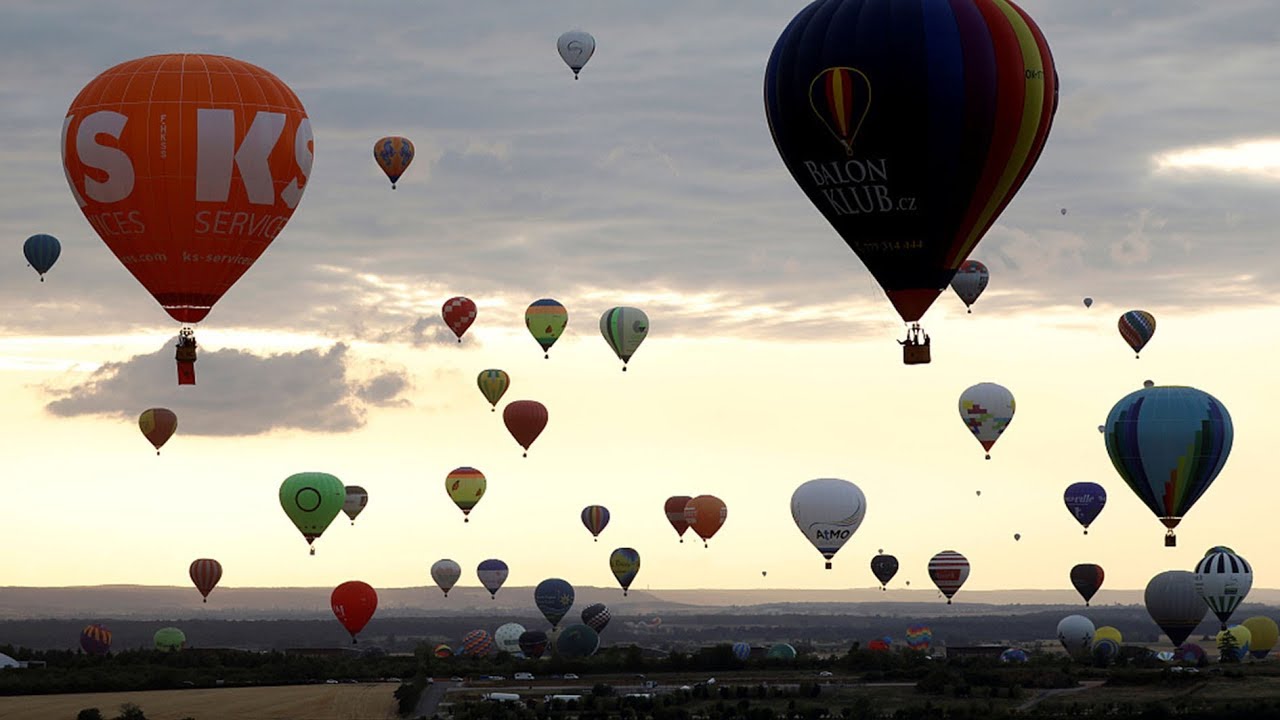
(964, 97)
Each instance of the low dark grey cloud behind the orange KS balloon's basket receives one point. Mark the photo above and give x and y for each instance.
(239, 394)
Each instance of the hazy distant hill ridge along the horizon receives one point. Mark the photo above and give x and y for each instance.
(166, 601)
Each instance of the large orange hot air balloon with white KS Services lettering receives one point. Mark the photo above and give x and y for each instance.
(188, 167)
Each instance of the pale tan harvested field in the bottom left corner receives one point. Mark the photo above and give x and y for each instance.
(371, 701)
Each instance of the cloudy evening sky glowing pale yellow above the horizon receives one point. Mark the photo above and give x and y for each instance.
(652, 181)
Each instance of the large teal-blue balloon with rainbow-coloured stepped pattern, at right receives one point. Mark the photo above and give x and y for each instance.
(1169, 444)
